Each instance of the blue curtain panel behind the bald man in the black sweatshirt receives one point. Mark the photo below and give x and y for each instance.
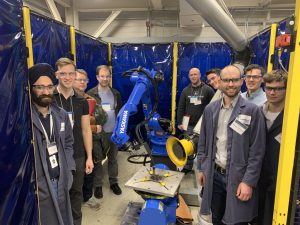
(201, 55)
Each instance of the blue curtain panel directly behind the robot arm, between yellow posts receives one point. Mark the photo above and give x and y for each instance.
(149, 56)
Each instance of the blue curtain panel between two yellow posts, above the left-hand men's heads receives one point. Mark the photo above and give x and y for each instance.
(90, 53)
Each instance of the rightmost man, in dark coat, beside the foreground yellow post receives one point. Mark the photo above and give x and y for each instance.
(275, 86)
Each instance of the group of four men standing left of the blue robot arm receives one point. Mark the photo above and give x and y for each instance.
(71, 138)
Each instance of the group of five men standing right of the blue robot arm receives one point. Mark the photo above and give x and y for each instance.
(239, 141)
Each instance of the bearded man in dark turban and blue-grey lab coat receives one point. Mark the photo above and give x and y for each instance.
(53, 147)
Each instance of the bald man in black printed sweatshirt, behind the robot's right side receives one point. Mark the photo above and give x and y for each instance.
(191, 105)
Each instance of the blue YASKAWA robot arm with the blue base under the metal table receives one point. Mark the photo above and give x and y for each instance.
(158, 211)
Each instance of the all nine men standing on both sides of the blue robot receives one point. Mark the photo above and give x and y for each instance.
(239, 140)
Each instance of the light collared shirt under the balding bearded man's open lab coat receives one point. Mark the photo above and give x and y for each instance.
(221, 134)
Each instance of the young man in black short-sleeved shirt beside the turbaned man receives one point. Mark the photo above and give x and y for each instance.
(78, 112)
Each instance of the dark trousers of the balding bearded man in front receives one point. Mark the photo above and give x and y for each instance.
(218, 203)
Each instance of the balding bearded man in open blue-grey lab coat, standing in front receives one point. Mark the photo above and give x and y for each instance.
(230, 152)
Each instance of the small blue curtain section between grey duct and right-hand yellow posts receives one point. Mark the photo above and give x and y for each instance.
(260, 47)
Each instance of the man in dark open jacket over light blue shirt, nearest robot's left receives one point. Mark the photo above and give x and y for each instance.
(110, 100)
